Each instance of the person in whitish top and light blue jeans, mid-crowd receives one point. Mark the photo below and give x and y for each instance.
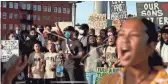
(92, 60)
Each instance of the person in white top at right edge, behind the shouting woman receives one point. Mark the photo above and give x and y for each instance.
(162, 46)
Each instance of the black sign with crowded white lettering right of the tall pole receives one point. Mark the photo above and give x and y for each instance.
(118, 10)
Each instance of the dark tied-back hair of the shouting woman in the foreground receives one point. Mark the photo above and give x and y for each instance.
(154, 59)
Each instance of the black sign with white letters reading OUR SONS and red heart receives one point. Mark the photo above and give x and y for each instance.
(157, 12)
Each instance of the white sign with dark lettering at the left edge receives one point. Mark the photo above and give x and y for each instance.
(8, 49)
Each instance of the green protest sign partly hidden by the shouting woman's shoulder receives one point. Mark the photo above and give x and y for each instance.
(101, 72)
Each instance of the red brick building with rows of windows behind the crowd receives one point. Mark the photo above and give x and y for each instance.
(26, 13)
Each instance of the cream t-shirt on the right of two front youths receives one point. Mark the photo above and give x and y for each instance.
(52, 59)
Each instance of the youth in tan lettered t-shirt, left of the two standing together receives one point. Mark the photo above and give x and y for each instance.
(36, 64)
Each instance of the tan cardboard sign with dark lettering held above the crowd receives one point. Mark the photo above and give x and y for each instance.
(97, 22)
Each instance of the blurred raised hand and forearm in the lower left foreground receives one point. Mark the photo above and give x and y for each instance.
(15, 69)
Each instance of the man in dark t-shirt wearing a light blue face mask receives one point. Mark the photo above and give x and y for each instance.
(73, 51)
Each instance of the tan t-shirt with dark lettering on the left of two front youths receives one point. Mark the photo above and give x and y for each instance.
(34, 60)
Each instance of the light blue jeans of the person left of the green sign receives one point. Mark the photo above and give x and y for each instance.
(91, 77)
